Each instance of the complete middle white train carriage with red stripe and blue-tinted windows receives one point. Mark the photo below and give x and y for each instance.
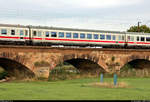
(81, 37)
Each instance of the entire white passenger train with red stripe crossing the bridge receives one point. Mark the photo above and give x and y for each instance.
(47, 36)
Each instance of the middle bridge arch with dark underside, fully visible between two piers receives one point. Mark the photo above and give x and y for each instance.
(82, 62)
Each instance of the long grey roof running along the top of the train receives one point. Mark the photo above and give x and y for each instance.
(69, 29)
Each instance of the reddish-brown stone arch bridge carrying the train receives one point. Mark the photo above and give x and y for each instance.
(43, 59)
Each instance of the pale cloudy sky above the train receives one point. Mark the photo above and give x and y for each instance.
(112, 15)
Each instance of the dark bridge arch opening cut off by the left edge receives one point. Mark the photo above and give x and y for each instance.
(15, 69)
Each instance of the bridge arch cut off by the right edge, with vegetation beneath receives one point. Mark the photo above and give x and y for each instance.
(136, 68)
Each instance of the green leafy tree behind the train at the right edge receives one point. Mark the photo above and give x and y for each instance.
(142, 28)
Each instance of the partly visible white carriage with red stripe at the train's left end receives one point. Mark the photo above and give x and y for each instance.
(13, 33)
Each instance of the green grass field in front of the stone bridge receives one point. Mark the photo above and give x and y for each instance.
(75, 90)
